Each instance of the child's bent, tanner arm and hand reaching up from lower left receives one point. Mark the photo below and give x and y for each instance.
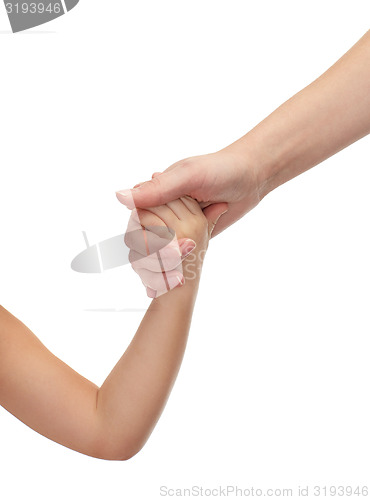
(114, 421)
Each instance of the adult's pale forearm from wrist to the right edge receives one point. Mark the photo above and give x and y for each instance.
(325, 117)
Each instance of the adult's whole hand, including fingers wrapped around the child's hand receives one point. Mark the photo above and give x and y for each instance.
(211, 180)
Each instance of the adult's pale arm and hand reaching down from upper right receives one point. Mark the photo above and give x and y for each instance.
(324, 118)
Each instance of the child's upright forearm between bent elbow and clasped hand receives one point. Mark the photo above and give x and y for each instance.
(133, 396)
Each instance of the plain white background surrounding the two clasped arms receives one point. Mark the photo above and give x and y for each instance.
(274, 388)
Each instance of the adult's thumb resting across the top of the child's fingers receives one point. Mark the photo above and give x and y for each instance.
(160, 190)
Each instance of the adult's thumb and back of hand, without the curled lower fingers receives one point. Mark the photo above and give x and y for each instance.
(222, 177)
